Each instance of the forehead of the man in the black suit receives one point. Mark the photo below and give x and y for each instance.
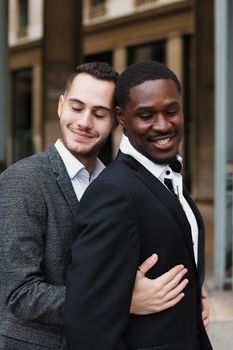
(155, 91)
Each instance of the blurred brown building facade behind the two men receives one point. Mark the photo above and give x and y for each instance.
(48, 38)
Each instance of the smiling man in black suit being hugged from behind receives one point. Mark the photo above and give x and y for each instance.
(135, 207)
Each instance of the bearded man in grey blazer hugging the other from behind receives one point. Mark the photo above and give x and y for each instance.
(38, 199)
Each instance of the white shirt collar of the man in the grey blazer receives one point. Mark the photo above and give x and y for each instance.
(72, 164)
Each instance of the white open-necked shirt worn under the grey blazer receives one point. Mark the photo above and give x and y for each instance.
(79, 176)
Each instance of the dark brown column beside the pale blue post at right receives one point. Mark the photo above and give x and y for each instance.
(204, 123)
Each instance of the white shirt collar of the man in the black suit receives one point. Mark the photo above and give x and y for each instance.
(157, 170)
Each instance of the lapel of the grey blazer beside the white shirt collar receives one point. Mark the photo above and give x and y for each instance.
(62, 178)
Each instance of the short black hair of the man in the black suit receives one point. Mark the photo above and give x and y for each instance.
(137, 74)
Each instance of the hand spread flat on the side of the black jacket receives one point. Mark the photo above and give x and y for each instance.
(151, 296)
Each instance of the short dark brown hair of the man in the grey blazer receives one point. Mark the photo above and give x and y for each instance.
(98, 70)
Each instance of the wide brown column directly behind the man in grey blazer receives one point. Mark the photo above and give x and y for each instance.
(62, 52)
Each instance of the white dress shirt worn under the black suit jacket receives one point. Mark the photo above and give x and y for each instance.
(161, 171)
